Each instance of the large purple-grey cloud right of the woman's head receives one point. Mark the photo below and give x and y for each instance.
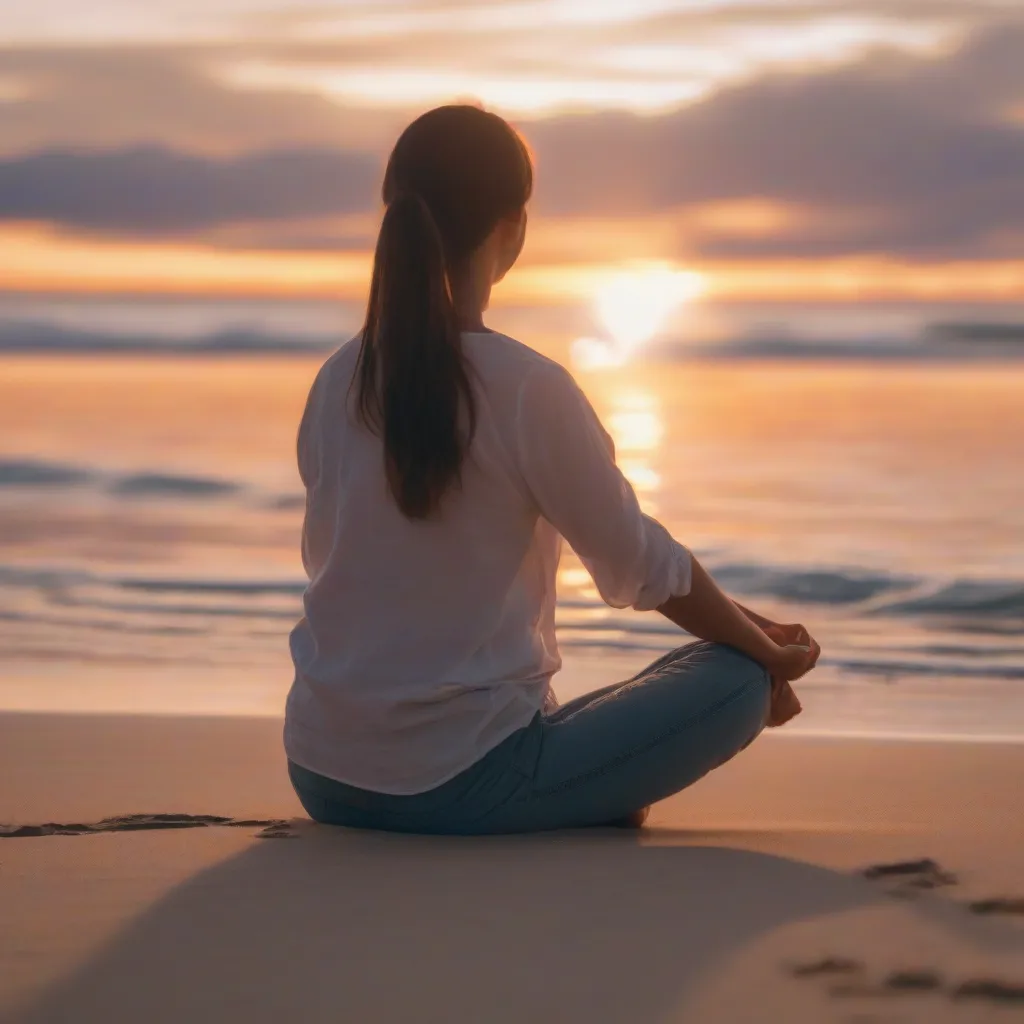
(901, 154)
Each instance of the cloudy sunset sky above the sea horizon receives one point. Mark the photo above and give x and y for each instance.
(781, 149)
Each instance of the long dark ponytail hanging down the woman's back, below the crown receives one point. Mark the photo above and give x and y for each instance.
(413, 381)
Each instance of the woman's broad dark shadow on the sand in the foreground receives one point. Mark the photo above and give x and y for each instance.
(344, 926)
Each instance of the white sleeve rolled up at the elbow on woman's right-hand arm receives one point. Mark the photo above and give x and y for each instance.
(568, 462)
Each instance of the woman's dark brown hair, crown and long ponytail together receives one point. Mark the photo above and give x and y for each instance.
(453, 176)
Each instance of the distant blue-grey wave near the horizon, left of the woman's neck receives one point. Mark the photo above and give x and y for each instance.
(42, 338)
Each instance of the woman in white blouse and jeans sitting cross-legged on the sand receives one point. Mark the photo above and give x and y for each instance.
(443, 464)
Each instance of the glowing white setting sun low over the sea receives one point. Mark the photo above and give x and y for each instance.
(632, 307)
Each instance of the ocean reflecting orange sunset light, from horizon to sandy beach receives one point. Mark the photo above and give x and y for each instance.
(861, 471)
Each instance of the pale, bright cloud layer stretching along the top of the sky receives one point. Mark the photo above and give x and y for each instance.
(379, 62)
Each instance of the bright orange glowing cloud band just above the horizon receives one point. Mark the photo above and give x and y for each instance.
(34, 260)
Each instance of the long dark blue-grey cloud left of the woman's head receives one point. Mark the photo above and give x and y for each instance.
(147, 191)
